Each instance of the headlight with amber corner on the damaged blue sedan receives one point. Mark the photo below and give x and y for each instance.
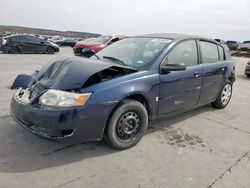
(57, 98)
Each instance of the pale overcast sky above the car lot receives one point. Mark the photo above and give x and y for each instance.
(211, 18)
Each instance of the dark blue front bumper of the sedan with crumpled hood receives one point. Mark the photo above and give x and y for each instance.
(76, 124)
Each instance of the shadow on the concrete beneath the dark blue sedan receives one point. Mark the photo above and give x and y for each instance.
(20, 151)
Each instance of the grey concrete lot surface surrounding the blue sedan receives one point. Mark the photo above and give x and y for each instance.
(201, 148)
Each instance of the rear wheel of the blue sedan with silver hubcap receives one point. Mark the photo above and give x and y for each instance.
(224, 96)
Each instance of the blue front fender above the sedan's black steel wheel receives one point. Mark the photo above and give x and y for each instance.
(117, 89)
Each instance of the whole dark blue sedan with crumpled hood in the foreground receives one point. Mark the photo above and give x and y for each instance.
(114, 94)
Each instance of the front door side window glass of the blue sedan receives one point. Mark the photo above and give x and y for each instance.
(184, 53)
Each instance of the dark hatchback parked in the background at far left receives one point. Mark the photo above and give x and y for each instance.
(27, 44)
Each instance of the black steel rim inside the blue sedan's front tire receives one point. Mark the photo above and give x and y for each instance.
(128, 125)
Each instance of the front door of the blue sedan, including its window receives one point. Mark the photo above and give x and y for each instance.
(180, 89)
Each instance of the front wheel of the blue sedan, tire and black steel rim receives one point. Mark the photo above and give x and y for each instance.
(127, 125)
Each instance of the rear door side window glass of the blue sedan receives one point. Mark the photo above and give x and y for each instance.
(209, 52)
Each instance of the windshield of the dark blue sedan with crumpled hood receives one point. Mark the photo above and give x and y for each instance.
(137, 53)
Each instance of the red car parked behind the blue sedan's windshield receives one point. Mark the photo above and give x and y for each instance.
(87, 49)
